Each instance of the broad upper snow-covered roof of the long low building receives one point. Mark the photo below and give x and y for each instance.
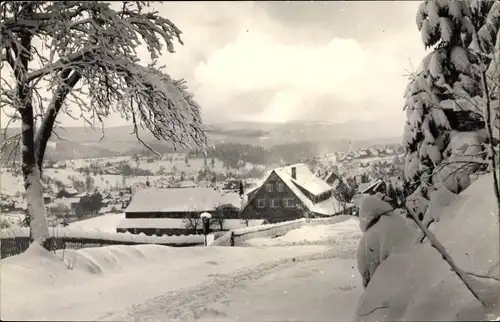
(181, 199)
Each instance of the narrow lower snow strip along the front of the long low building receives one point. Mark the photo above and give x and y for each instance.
(178, 223)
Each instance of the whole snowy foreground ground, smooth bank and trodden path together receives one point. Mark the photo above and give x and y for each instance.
(148, 282)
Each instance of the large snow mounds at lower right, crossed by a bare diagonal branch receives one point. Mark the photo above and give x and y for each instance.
(419, 285)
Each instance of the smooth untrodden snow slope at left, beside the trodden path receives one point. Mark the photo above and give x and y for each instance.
(109, 280)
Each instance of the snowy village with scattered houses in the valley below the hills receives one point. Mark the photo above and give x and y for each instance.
(167, 195)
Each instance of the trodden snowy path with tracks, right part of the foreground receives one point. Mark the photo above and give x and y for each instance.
(319, 287)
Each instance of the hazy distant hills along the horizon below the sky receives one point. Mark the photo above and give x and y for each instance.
(85, 142)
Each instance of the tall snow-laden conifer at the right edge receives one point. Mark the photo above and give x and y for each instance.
(446, 96)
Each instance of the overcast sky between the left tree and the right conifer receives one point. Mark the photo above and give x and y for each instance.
(282, 61)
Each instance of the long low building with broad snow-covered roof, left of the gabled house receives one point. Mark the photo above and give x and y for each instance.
(176, 211)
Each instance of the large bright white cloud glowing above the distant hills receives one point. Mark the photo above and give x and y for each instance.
(341, 70)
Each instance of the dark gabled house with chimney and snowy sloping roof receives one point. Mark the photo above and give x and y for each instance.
(291, 192)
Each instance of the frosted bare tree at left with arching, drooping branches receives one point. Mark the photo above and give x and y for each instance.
(63, 56)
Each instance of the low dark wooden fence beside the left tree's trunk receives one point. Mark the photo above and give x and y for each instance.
(17, 245)
